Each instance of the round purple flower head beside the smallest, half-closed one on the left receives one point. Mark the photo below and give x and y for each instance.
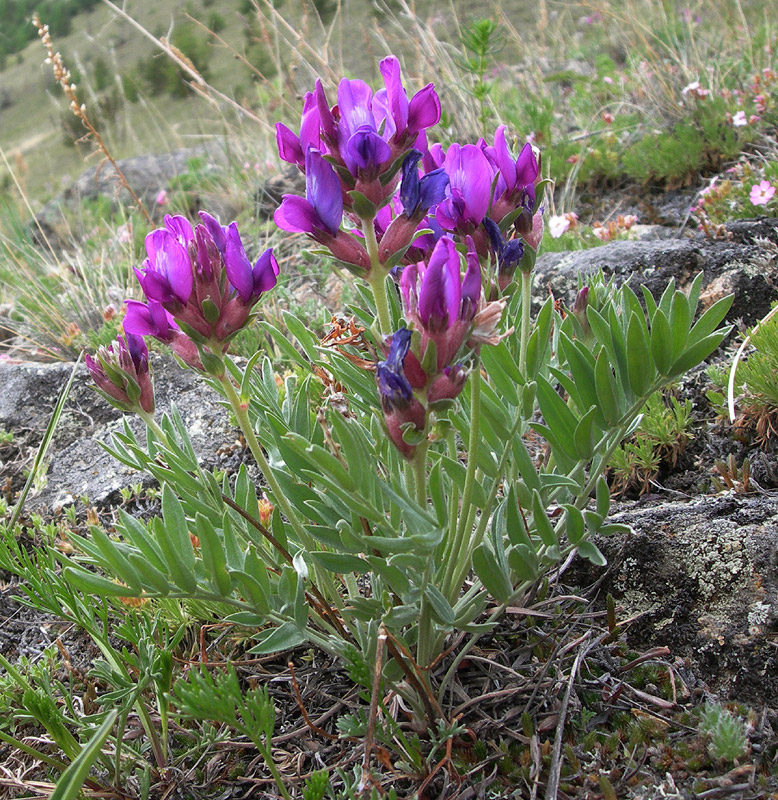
(203, 277)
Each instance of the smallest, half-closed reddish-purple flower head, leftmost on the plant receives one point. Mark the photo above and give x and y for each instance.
(122, 374)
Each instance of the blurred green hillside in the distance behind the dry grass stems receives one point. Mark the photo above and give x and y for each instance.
(139, 100)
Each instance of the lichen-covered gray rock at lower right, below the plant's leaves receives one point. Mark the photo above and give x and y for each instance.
(701, 577)
